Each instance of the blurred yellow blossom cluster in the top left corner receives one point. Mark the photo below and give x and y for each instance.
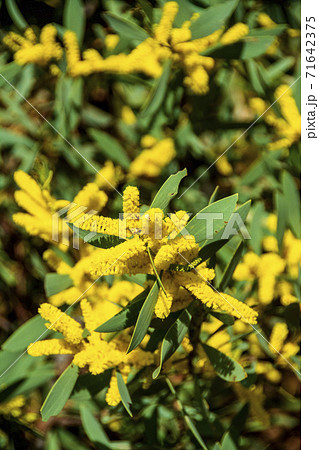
(28, 50)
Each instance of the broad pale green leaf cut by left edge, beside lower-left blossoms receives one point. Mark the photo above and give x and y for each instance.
(29, 332)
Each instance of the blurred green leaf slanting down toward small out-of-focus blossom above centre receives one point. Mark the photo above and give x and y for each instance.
(110, 147)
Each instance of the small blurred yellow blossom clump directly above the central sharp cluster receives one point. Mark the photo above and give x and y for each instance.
(155, 156)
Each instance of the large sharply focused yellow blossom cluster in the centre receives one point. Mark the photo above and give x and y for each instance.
(154, 246)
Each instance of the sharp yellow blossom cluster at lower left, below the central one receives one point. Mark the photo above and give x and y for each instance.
(92, 351)
